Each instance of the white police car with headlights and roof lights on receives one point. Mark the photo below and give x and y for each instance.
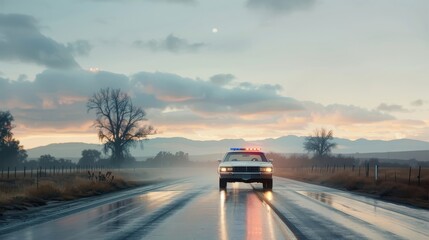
(245, 165)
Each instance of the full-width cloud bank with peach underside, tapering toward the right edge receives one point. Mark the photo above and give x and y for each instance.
(56, 99)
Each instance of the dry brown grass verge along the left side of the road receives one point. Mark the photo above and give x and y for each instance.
(20, 193)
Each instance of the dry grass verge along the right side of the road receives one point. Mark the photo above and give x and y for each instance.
(387, 187)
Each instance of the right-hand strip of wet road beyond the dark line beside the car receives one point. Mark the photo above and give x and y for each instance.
(325, 213)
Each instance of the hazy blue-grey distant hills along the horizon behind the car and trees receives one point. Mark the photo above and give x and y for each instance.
(287, 144)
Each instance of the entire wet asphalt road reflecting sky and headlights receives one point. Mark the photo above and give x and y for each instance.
(194, 208)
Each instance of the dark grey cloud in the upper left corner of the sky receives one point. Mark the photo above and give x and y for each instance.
(20, 39)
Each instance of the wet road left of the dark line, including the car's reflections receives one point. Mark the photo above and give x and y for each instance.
(194, 209)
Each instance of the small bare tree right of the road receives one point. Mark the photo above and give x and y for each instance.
(320, 143)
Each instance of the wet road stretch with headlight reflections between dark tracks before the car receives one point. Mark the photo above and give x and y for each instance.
(236, 213)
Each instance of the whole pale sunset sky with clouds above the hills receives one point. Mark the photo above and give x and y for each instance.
(216, 69)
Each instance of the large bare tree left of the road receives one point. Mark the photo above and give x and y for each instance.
(118, 121)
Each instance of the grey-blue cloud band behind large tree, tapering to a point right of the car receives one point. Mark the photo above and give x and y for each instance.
(57, 98)
